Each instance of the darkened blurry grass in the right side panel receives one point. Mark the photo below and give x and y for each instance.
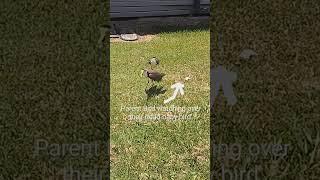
(278, 91)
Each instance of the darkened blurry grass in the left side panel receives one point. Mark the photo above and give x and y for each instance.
(49, 73)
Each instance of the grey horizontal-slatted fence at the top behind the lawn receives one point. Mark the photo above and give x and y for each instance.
(151, 8)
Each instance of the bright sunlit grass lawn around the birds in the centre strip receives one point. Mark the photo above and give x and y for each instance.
(164, 149)
